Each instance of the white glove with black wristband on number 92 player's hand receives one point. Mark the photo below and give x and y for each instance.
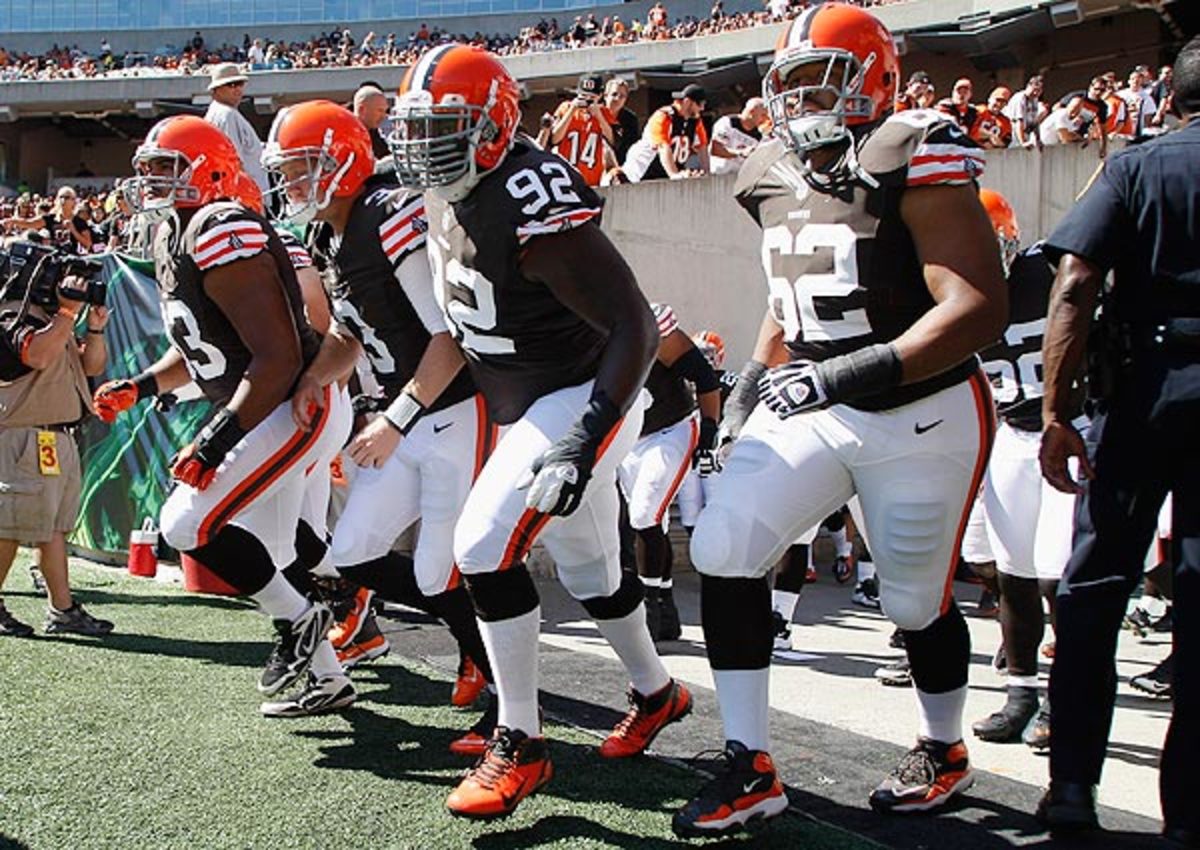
(559, 478)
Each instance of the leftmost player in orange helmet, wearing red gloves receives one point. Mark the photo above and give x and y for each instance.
(236, 320)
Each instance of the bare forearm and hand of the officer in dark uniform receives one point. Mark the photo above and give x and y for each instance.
(1064, 348)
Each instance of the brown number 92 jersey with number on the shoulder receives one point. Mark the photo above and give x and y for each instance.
(520, 342)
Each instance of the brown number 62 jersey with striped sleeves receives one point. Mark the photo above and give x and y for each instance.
(842, 267)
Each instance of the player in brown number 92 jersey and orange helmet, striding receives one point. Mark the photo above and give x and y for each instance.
(560, 340)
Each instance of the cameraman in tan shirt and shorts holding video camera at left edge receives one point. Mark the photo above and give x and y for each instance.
(44, 397)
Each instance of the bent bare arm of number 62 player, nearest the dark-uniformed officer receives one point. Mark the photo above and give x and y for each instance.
(964, 276)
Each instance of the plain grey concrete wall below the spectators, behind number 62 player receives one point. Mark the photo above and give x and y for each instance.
(692, 247)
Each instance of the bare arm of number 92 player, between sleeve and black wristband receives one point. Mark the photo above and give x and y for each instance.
(604, 292)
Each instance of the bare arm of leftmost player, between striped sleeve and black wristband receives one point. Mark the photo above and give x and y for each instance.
(261, 316)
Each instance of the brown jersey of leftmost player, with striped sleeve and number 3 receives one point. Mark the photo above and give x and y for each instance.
(213, 350)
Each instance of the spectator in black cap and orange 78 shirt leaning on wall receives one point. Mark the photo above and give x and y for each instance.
(673, 135)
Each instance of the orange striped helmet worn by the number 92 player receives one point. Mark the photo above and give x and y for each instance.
(455, 119)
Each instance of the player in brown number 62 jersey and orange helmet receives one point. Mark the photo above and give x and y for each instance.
(877, 310)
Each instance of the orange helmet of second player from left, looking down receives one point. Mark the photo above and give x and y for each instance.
(332, 147)
